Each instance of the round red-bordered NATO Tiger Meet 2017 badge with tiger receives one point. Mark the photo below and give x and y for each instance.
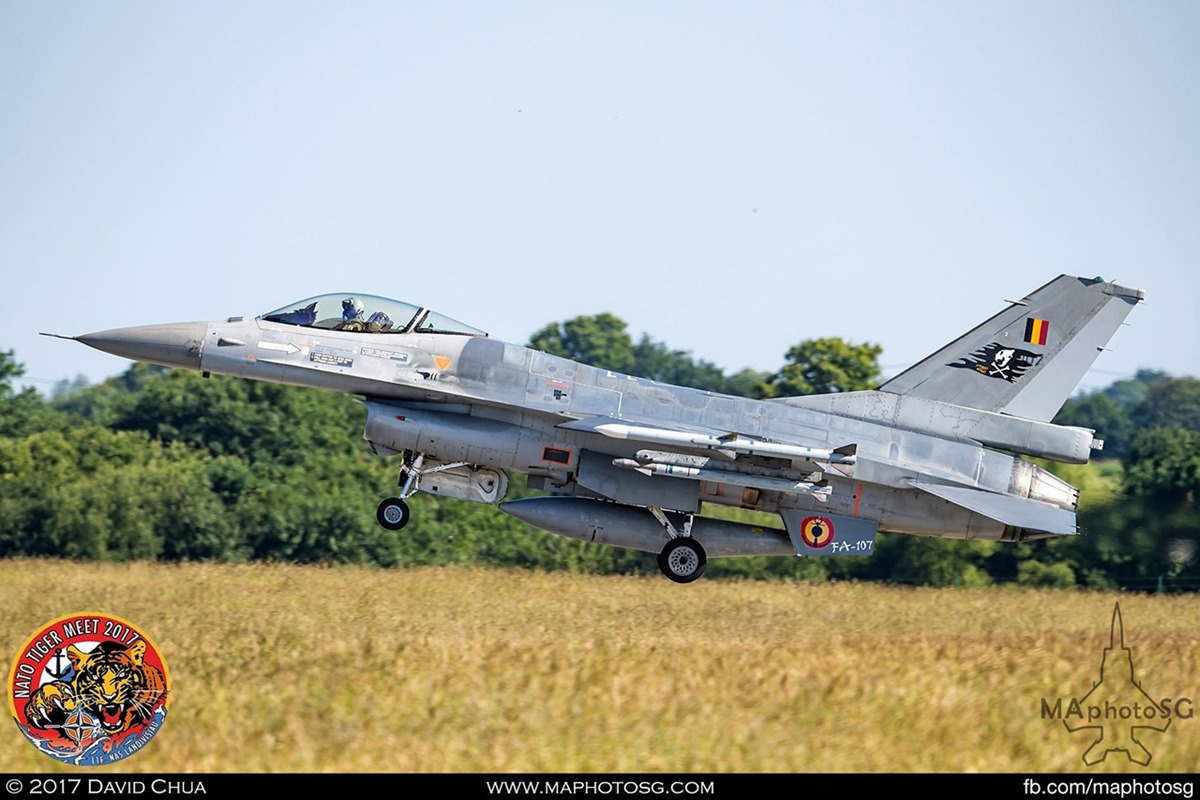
(89, 689)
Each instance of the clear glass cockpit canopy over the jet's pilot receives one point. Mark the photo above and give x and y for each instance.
(367, 314)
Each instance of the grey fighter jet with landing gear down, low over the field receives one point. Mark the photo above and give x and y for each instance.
(634, 464)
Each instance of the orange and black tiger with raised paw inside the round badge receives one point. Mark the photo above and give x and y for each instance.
(113, 684)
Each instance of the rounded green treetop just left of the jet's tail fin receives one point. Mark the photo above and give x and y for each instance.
(829, 365)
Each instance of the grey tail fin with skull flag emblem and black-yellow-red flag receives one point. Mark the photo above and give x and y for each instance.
(1028, 359)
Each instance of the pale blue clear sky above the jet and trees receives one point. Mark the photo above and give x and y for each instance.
(729, 179)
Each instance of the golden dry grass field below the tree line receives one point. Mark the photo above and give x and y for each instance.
(340, 670)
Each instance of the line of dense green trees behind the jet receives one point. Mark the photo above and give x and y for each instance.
(170, 466)
